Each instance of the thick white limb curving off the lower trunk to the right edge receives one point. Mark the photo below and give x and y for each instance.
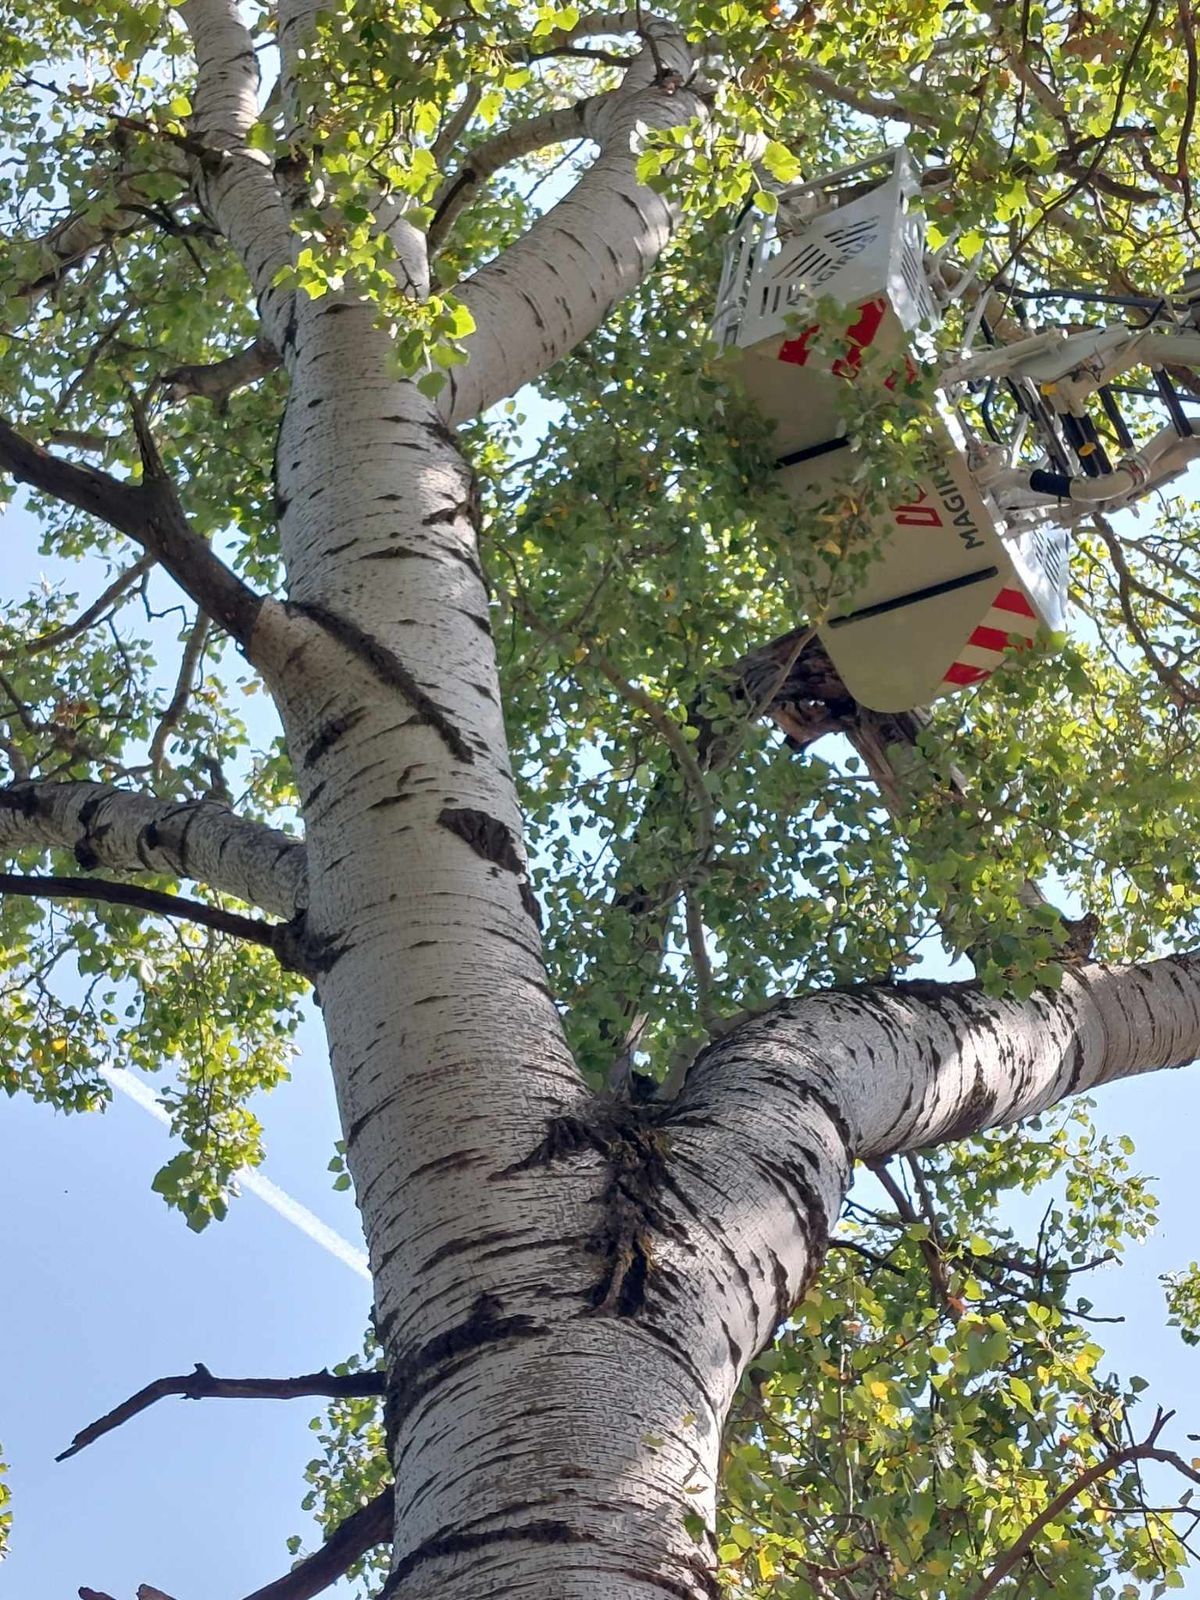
(774, 1118)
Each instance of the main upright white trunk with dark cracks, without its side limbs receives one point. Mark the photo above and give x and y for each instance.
(521, 1415)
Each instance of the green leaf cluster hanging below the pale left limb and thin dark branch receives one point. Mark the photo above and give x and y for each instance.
(98, 988)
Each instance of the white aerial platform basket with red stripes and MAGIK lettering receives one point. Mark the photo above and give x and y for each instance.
(954, 583)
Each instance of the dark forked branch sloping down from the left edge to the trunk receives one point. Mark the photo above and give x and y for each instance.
(151, 514)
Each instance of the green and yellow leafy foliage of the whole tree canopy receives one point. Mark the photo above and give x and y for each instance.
(942, 1380)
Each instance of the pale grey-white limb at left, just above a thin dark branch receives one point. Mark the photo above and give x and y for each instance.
(135, 833)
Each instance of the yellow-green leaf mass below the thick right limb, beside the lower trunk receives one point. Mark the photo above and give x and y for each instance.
(940, 1386)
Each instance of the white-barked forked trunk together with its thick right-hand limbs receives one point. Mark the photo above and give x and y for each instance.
(567, 1292)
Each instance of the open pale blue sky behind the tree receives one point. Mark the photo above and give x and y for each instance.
(105, 1290)
